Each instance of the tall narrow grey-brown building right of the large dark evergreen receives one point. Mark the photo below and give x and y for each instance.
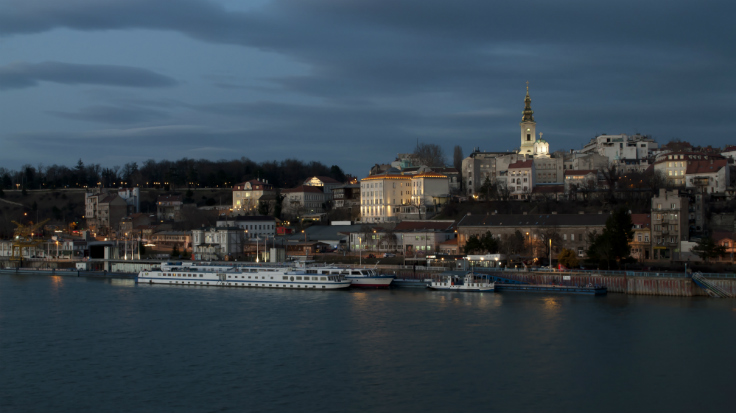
(670, 224)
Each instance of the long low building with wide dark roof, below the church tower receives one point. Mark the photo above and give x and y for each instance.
(570, 229)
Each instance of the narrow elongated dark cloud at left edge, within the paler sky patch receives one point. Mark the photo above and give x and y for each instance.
(22, 75)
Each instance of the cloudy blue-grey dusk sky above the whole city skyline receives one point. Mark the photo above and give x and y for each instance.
(353, 82)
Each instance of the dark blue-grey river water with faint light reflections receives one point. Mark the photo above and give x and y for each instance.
(72, 344)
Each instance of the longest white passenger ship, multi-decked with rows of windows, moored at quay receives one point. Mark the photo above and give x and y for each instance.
(242, 276)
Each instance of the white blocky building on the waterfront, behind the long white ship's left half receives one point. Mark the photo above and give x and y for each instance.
(217, 243)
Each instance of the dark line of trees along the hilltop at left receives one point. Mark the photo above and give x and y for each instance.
(184, 173)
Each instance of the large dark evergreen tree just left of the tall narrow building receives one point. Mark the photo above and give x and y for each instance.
(612, 245)
